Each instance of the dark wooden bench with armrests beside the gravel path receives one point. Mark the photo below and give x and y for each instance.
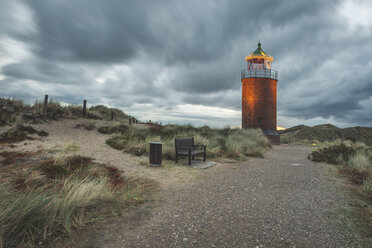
(186, 147)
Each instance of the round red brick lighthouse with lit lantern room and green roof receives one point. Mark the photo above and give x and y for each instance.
(259, 83)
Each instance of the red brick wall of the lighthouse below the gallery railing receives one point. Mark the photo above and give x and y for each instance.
(259, 103)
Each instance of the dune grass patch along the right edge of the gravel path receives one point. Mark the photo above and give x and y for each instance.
(353, 159)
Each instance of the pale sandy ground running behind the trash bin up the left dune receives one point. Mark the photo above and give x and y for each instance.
(92, 144)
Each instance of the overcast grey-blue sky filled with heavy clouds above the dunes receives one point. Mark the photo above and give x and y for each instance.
(179, 61)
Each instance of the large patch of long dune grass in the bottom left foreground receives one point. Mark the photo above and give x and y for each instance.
(53, 197)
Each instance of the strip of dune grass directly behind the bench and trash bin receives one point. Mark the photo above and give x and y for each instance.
(232, 143)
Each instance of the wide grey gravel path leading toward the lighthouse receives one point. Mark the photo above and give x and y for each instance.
(280, 201)
